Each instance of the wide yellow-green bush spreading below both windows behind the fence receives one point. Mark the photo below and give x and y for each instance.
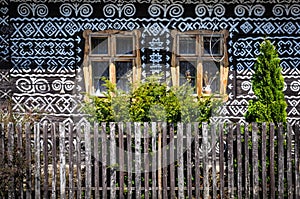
(150, 101)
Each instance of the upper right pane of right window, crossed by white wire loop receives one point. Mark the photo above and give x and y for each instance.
(212, 45)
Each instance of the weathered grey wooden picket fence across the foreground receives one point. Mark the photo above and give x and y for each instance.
(149, 160)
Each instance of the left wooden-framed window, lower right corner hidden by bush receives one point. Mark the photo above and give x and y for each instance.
(113, 55)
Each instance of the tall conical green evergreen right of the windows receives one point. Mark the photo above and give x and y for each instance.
(267, 85)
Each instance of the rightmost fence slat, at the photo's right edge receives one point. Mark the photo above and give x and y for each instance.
(297, 162)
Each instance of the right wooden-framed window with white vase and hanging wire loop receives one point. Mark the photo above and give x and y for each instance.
(200, 58)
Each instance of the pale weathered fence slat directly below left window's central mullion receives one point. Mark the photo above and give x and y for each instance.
(113, 160)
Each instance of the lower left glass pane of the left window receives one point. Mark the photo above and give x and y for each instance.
(100, 70)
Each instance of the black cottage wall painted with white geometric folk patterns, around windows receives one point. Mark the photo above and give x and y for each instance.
(42, 46)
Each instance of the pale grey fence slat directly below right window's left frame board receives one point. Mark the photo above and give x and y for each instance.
(180, 161)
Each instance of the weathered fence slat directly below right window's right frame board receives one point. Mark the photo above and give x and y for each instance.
(221, 157)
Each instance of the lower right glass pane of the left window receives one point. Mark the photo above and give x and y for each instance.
(124, 74)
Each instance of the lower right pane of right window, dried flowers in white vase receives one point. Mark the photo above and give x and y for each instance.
(211, 77)
